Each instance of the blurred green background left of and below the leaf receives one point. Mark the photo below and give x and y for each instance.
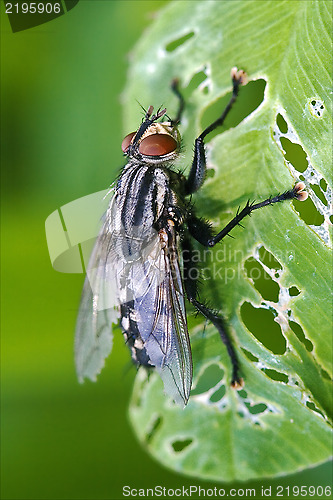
(61, 135)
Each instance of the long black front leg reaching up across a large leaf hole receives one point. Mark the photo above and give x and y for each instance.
(198, 168)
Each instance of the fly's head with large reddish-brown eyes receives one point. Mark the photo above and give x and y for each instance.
(153, 142)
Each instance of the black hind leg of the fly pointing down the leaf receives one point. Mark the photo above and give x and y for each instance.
(191, 290)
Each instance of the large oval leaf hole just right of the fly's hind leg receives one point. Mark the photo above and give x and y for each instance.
(261, 323)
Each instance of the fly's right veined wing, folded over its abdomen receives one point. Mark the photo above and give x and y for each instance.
(160, 315)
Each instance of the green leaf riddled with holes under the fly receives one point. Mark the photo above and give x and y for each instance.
(273, 281)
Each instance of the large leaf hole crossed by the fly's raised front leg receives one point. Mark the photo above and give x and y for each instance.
(250, 97)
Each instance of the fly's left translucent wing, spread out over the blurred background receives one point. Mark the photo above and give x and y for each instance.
(99, 306)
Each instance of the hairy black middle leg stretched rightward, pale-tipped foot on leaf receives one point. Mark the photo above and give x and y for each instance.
(204, 236)
